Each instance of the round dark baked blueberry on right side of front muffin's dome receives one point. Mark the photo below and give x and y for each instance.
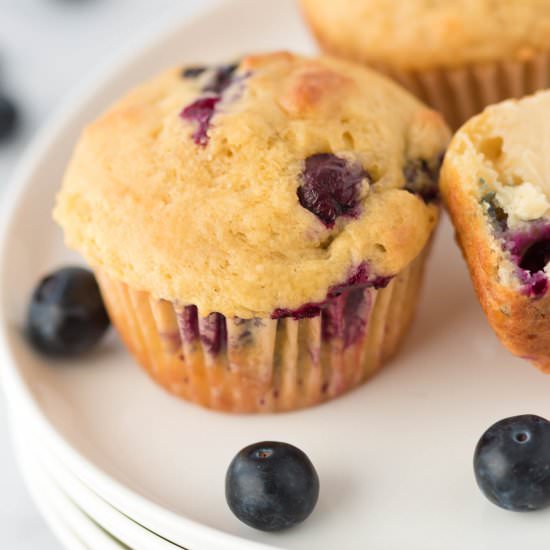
(330, 187)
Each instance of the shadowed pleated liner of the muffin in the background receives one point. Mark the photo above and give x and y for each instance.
(461, 93)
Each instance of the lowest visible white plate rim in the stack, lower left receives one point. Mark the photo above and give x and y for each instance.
(73, 528)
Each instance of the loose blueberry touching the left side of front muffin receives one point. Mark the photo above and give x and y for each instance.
(66, 315)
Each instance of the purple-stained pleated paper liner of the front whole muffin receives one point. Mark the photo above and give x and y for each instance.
(264, 365)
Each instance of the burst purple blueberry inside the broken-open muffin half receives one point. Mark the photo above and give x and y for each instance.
(530, 250)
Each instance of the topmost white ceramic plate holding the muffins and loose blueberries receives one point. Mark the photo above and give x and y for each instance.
(394, 457)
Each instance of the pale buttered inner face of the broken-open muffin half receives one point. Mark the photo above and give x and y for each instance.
(497, 171)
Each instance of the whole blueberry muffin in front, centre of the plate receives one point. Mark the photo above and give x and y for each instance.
(258, 229)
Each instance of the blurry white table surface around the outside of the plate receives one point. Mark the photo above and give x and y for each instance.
(45, 48)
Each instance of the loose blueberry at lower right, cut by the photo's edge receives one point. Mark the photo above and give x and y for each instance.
(512, 463)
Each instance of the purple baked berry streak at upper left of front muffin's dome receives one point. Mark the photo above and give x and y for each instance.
(203, 108)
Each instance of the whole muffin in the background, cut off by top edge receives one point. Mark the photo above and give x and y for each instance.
(456, 55)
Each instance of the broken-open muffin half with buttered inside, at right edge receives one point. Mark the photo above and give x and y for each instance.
(496, 184)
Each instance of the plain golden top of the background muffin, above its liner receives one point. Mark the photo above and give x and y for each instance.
(423, 34)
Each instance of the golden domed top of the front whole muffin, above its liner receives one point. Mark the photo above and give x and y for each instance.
(256, 188)
